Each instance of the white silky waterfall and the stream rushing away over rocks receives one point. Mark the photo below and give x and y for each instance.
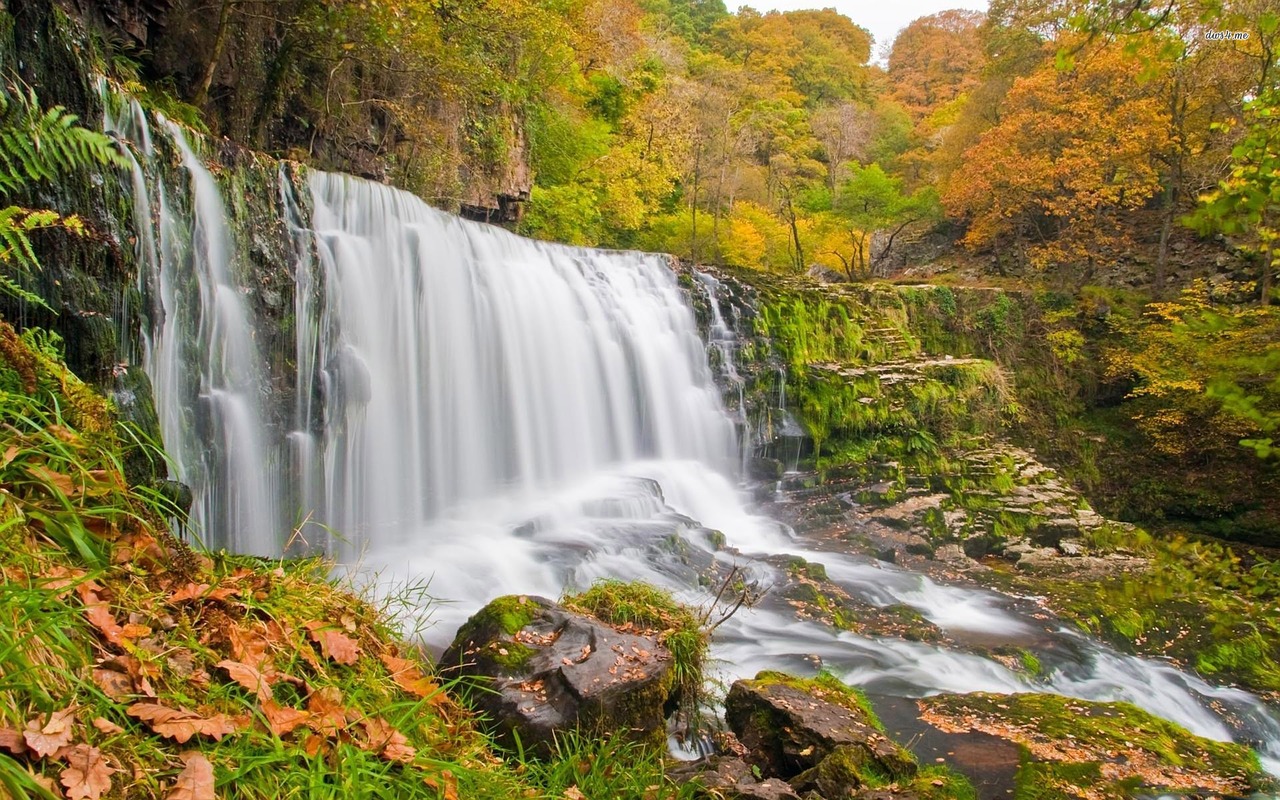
(479, 414)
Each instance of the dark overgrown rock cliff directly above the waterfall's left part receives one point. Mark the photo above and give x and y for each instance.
(299, 80)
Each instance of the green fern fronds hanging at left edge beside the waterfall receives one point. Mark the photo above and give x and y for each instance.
(35, 148)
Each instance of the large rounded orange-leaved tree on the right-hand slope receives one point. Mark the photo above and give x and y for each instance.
(1072, 154)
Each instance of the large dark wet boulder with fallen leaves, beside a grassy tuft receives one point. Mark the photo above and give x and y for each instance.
(540, 670)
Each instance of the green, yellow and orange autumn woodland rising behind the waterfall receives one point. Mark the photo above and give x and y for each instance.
(1118, 162)
